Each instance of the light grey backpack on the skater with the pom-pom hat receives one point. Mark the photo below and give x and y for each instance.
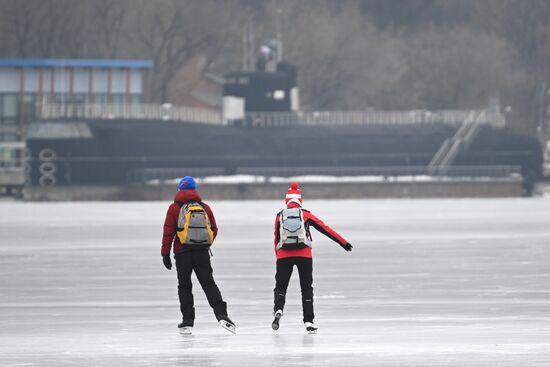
(292, 231)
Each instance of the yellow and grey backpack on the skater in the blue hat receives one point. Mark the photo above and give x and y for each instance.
(194, 225)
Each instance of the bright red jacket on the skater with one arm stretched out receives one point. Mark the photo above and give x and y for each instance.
(309, 220)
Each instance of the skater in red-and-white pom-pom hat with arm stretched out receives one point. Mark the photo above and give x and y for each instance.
(293, 244)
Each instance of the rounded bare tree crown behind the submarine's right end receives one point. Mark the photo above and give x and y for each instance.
(457, 68)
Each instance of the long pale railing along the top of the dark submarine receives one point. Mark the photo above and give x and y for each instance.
(58, 110)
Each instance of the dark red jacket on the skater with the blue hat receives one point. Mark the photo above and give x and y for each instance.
(169, 238)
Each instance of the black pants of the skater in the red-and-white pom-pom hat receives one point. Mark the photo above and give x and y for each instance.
(282, 277)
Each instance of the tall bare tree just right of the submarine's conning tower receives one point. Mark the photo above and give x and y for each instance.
(344, 61)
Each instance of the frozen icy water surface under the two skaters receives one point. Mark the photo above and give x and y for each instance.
(429, 283)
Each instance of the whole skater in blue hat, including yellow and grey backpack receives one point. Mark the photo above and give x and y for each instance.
(190, 229)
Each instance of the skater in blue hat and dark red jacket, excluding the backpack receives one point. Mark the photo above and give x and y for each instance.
(192, 257)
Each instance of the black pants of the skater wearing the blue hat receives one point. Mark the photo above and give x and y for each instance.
(198, 261)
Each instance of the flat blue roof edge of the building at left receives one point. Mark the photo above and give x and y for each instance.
(76, 63)
